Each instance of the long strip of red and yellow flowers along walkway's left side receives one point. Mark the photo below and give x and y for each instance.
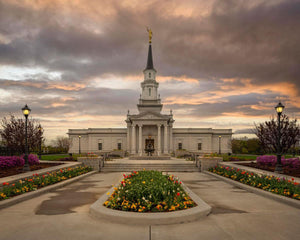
(38, 181)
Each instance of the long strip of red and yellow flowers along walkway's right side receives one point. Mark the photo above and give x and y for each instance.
(272, 184)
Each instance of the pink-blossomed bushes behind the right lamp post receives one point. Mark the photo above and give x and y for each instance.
(271, 160)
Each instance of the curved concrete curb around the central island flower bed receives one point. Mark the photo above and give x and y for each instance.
(99, 211)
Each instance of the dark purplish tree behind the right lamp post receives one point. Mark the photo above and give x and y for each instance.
(267, 134)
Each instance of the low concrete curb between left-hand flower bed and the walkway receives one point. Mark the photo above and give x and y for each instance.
(29, 195)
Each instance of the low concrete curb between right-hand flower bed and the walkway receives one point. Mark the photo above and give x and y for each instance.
(282, 199)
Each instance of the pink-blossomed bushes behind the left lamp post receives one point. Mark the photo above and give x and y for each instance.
(16, 161)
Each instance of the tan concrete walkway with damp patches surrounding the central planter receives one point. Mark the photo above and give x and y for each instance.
(64, 214)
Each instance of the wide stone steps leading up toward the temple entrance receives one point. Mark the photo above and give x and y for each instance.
(165, 166)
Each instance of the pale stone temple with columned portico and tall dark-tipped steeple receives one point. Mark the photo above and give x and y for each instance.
(150, 131)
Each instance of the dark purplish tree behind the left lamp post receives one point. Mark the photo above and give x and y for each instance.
(13, 134)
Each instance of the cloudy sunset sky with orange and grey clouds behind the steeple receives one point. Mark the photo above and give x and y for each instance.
(78, 63)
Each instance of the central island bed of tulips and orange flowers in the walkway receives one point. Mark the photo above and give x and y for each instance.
(149, 191)
